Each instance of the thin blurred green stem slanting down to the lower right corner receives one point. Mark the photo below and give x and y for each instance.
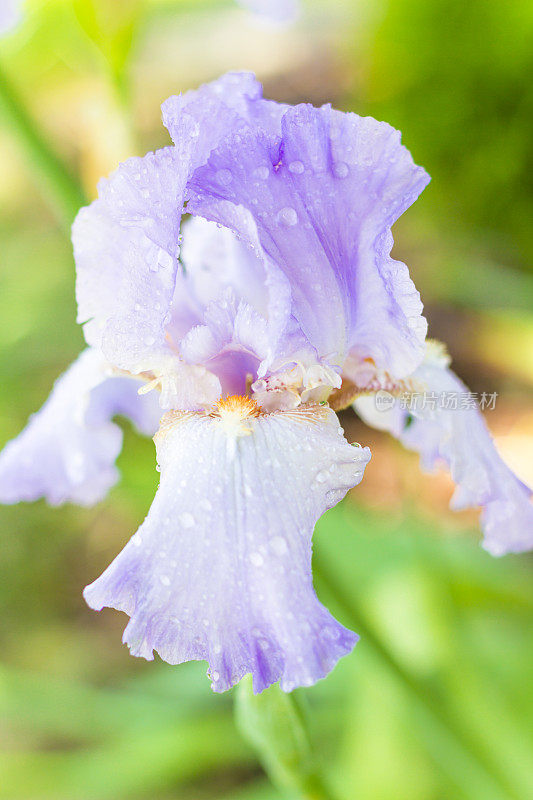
(454, 744)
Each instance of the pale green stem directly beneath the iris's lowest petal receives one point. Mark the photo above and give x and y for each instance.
(274, 724)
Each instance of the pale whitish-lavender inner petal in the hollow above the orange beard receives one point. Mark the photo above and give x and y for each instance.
(245, 296)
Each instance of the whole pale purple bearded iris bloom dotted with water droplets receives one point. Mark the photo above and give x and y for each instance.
(281, 304)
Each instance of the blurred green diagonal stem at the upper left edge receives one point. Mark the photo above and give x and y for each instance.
(60, 185)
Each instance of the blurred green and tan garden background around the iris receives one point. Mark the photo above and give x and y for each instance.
(435, 703)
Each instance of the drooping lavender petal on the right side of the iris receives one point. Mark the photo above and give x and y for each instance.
(459, 438)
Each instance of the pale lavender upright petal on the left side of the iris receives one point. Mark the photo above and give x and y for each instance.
(126, 245)
